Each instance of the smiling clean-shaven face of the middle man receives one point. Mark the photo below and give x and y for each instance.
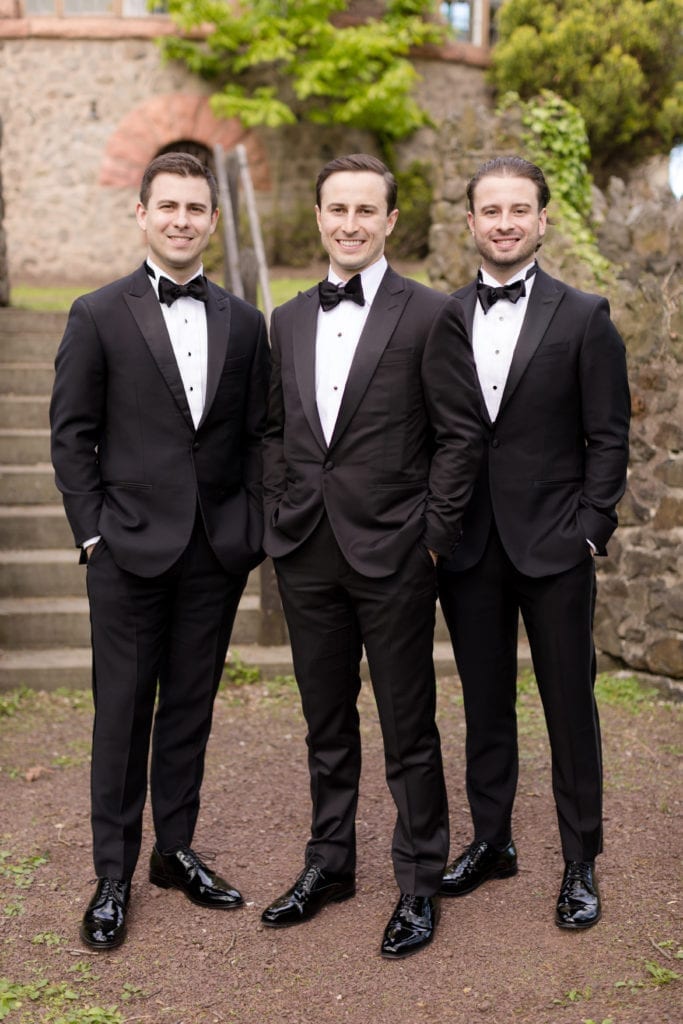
(354, 221)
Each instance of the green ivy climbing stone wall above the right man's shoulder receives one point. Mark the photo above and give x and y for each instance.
(554, 138)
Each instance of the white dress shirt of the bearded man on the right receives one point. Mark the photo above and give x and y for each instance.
(495, 337)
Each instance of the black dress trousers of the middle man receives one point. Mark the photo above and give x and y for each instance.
(332, 612)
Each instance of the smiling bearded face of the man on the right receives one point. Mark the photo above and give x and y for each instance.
(506, 224)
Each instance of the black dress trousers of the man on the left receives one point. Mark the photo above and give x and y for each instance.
(165, 636)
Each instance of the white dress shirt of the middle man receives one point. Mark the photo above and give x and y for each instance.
(336, 342)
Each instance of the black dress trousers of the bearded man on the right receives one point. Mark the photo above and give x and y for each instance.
(482, 607)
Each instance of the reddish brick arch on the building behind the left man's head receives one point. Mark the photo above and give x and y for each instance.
(167, 119)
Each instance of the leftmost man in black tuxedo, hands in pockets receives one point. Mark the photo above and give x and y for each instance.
(157, 414)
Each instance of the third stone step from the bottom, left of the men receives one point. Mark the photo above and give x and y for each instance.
(41, 573)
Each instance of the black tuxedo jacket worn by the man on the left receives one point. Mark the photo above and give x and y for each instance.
(129, 460)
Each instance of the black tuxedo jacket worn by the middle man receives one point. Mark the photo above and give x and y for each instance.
(408, 441)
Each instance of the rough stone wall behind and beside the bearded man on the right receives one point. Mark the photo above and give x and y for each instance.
(639, 226)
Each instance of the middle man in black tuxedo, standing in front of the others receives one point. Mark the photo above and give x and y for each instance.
(372, 445)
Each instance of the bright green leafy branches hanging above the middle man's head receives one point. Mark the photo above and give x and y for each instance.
(326, 72)
